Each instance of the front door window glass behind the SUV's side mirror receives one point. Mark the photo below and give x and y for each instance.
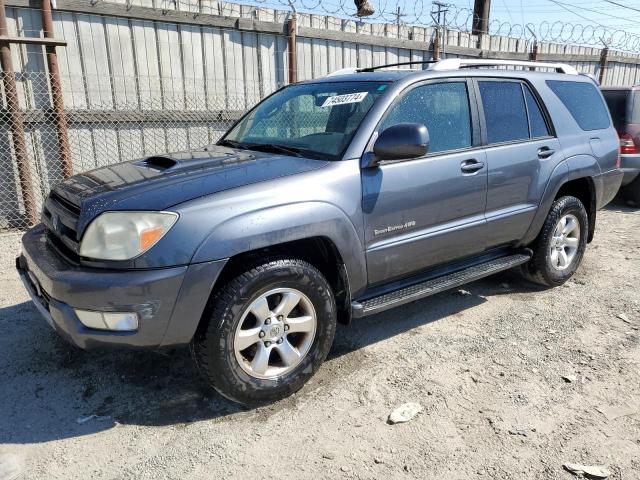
(442, 107)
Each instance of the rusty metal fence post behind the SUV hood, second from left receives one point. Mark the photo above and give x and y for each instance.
(57, 98)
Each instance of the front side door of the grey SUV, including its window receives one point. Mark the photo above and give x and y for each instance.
(422, 212)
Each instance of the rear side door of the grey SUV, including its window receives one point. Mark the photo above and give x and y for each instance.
(520, 145)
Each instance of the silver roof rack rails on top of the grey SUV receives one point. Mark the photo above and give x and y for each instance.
(459, 63)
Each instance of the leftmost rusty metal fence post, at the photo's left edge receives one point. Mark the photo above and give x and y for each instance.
(15, 120)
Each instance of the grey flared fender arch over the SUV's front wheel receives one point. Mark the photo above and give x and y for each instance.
(286, 223)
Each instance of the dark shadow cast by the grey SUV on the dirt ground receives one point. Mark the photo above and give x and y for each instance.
(51, 389)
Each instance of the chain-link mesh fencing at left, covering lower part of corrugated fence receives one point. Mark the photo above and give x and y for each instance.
(111, 131)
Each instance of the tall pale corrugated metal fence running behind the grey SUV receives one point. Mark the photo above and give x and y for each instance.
(136, 86)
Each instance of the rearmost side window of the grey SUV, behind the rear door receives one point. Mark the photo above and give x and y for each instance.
(584, 102)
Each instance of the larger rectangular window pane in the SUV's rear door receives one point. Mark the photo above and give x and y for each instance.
(505, 113)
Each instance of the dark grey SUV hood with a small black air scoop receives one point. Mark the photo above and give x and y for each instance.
(159, 182)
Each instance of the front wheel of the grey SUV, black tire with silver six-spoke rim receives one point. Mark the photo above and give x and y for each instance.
(237, 310)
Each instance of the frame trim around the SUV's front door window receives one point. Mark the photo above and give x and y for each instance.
(474, 112)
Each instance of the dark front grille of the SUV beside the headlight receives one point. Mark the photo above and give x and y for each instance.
(60, 217)
